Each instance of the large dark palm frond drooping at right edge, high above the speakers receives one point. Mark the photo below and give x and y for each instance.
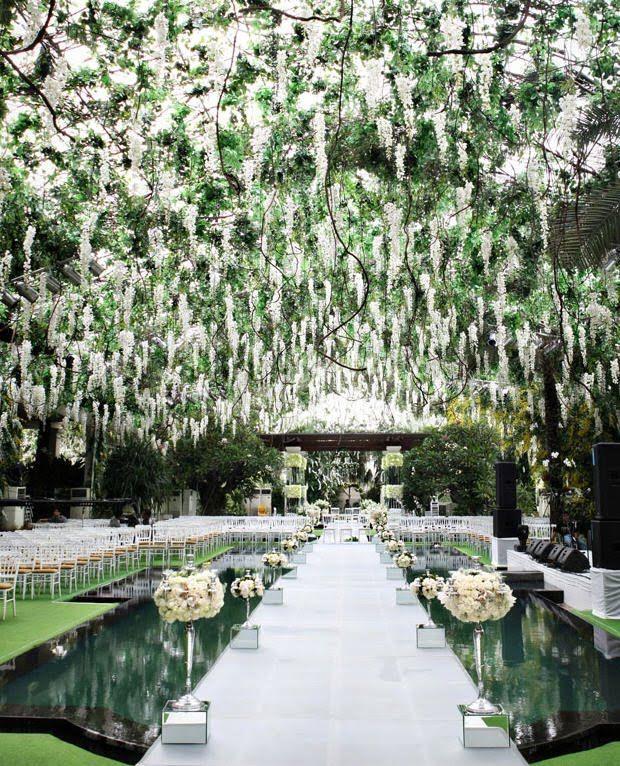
(584, 232)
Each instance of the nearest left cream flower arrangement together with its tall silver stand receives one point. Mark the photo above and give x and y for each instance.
(186, 596)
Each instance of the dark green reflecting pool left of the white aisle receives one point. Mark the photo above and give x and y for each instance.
(115, 675)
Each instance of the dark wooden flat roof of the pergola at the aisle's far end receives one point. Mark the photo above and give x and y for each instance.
(354, 442)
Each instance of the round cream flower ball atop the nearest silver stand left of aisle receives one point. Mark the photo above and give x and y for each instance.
(187, 597)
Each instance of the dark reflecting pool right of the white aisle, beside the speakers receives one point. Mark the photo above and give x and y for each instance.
(555, 674)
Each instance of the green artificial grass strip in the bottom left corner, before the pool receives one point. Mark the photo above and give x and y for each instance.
(46, 750)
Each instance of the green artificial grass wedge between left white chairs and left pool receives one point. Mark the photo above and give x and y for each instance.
(40, 620)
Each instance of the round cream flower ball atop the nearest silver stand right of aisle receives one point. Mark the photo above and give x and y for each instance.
(473, 595)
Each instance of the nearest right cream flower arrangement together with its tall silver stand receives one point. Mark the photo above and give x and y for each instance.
(473, 595)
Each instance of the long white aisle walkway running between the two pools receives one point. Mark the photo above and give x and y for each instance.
(337, 681)
